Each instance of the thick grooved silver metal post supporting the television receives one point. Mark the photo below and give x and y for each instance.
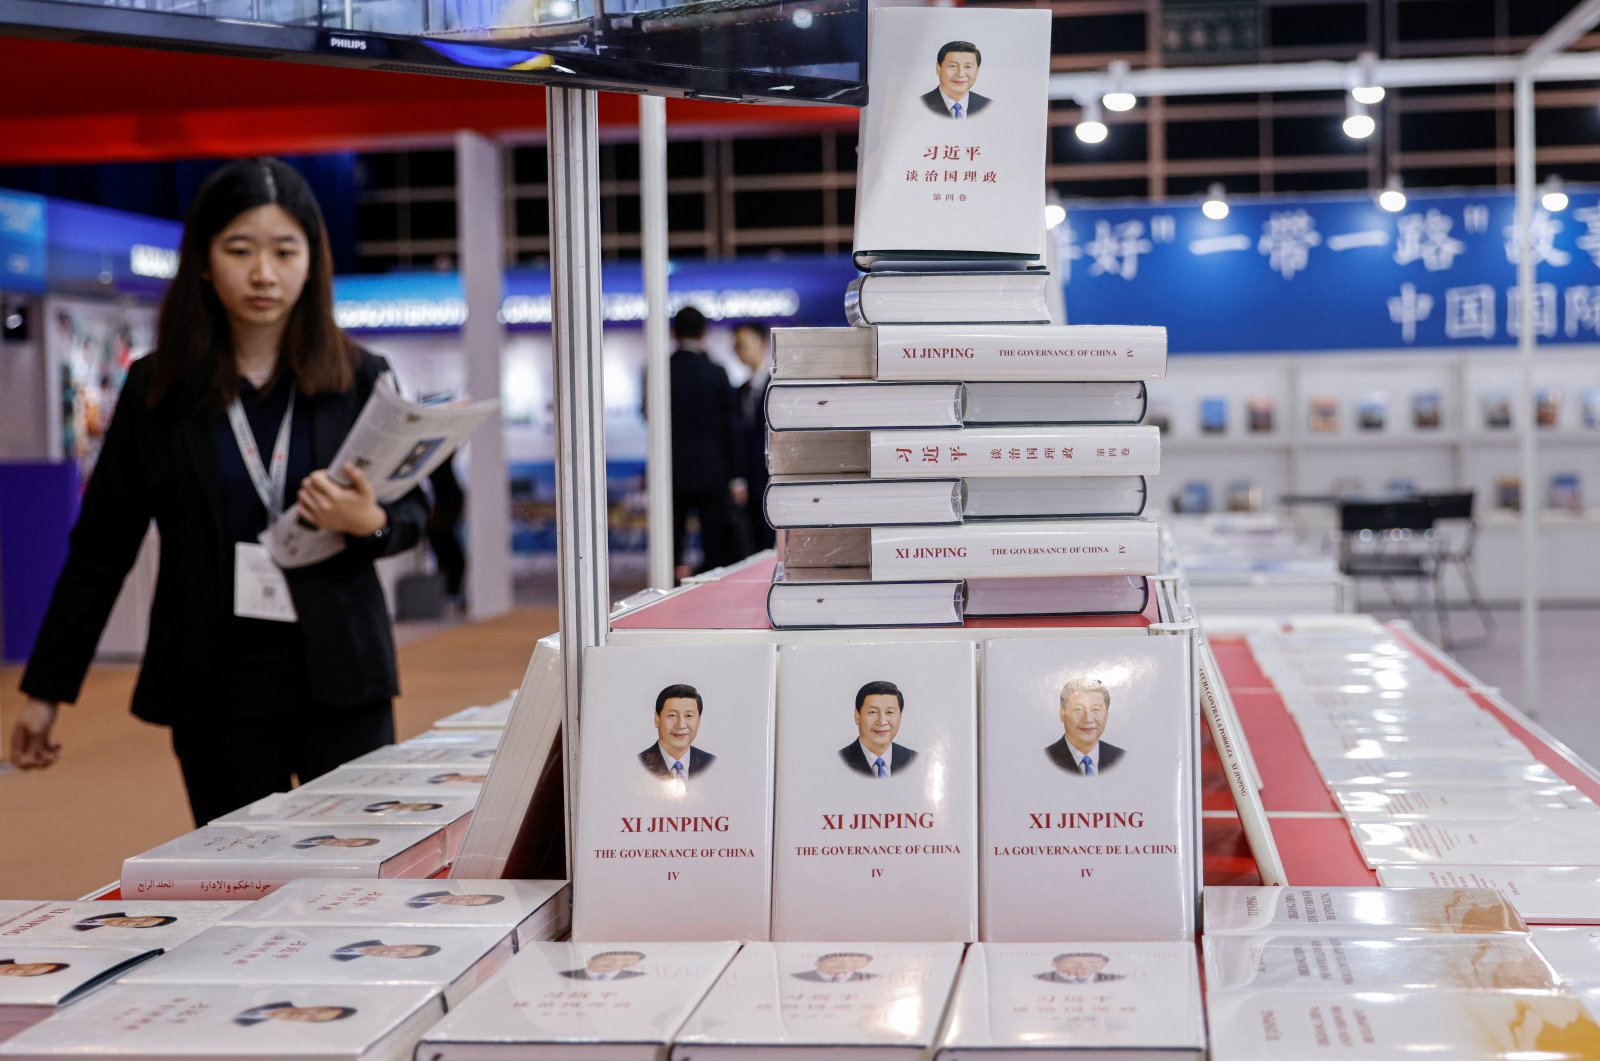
(583, 583)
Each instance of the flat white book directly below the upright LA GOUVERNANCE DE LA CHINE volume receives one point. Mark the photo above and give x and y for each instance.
(1076, 1001)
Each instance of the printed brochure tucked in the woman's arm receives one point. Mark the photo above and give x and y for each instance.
(396, 444)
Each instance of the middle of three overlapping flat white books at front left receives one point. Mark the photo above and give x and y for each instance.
(454, 959)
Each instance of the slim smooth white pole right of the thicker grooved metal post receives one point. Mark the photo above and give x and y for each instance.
(658, 390)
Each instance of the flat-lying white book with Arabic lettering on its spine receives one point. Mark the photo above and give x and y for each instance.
(242, 863)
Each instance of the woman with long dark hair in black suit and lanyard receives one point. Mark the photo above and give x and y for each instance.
(265, 676)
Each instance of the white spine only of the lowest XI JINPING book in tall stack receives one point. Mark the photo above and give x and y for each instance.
(1015, 550)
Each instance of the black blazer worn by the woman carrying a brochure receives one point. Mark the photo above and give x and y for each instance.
(162, 465)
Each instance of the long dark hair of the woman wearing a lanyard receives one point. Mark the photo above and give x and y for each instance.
(193, 364)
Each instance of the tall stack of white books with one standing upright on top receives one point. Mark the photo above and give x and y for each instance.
(953, 452)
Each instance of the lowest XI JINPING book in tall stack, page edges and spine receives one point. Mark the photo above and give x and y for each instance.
(999, 550)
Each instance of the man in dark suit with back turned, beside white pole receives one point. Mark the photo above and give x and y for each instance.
(705, 418)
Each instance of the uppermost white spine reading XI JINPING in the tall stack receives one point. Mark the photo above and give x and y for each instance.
(1041, 353)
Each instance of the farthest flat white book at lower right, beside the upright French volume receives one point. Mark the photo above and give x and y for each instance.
(1358, 911)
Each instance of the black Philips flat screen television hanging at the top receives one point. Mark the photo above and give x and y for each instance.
(809, 52)
